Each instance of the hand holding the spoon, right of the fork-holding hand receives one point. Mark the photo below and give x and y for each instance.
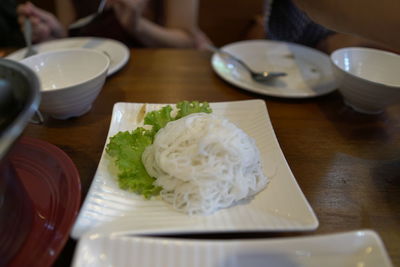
(128, 13)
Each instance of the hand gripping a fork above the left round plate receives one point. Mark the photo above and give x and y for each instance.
(45, 25)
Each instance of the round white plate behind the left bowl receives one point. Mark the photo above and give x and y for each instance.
(116, 51)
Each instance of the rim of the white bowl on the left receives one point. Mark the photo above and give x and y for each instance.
(89, 79)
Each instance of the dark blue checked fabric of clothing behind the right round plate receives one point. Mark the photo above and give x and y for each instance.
(288, 23)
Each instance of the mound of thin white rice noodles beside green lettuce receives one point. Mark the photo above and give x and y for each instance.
(204, 163)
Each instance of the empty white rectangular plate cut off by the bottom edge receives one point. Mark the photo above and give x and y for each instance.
(358, 248)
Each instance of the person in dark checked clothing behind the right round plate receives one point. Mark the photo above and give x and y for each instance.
(284, 21)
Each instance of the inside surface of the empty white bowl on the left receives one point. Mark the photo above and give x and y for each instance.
(65, 68)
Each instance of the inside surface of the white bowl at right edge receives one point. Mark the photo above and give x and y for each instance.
(369, 64)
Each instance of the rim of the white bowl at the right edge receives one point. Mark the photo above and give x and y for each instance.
(355, 48)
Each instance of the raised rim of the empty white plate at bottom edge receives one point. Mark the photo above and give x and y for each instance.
(365, 236)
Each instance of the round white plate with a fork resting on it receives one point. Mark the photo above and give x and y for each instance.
(309, 70)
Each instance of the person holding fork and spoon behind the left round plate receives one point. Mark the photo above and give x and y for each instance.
(137, 23)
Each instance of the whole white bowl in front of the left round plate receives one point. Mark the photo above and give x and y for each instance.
(70, 79)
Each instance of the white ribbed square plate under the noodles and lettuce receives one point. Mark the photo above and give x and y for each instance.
(280, 206)
